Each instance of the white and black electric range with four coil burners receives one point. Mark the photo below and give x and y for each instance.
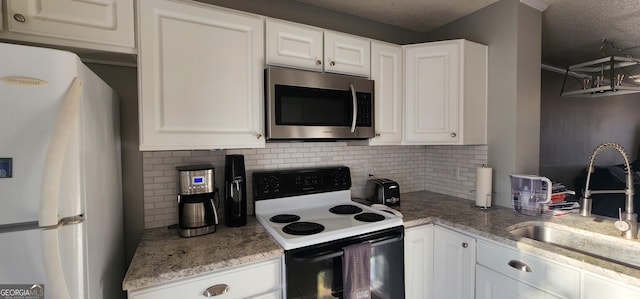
(311, 215)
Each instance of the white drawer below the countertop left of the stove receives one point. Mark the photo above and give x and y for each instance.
(245, 281)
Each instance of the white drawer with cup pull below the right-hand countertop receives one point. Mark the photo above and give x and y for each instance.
(544, 274)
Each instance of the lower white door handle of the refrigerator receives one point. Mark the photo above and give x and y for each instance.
(56, 283)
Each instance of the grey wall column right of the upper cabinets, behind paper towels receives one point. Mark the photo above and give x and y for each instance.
(513, 33)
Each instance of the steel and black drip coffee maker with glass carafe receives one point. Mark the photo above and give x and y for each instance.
(197, 213)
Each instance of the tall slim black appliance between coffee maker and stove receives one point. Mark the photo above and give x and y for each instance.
(235, 190)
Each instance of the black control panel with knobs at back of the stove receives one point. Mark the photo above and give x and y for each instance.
(284, 183)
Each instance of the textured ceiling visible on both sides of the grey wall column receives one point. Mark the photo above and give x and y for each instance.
(572, 30)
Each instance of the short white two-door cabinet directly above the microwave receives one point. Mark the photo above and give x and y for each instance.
(308, 47)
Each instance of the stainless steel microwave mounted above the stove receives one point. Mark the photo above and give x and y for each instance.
(306, 105)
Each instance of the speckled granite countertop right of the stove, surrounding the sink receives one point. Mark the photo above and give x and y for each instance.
(427, 207)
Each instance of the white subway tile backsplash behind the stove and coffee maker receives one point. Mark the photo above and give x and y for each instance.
(445, 169)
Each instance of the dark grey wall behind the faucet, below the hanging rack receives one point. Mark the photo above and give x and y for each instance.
(572, 127)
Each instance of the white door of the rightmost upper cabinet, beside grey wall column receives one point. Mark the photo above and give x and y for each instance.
(432, 80)
